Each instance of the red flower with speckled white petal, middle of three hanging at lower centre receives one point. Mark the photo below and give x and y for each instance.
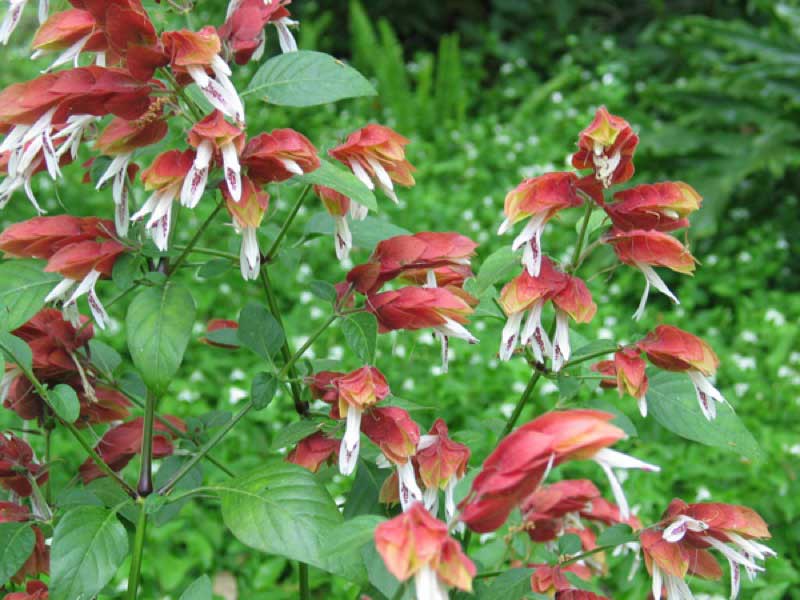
(394, 431)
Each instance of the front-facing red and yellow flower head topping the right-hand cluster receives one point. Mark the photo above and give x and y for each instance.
(606, 146)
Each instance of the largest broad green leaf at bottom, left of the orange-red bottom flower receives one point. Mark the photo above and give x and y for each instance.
(282, 509)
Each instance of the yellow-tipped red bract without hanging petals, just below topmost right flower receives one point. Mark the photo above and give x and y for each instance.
(661, 206)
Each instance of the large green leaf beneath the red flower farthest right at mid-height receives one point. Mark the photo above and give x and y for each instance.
(672, 402)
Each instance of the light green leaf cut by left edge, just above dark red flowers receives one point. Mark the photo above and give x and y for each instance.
(23, 288)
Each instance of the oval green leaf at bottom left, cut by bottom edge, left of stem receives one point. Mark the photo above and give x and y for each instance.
(89, 545)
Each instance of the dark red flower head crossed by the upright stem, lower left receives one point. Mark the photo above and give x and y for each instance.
(121, 443)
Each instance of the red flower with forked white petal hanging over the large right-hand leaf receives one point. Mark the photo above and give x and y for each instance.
(673, 349)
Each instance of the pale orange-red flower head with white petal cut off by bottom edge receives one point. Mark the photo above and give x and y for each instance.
(416, 544)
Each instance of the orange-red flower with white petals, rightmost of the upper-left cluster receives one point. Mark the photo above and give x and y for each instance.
(376, 155)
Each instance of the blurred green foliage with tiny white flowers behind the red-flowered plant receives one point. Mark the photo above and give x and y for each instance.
(489, 93)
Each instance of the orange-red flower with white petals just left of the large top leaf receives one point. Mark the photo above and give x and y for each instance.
(194, 53)
